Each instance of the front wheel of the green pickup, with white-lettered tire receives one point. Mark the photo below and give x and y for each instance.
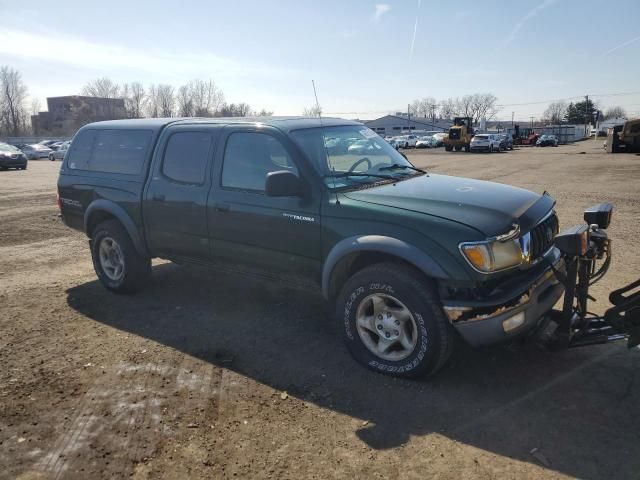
(392, 322)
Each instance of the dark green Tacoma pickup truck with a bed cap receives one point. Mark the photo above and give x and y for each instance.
(408, 258)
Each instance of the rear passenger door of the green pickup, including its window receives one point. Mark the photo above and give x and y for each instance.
(175, 205)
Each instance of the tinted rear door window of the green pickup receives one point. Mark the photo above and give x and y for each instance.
(186, 157)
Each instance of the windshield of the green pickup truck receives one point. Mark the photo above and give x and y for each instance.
(351, 149)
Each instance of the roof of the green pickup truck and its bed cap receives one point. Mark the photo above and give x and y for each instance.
(286, 124)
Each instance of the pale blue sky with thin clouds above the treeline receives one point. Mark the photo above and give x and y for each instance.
(367, 58)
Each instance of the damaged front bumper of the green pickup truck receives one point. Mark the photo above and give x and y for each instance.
(486, 325)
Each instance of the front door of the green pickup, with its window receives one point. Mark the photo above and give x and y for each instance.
(248, 227)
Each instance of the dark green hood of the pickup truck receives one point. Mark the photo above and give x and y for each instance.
(491, 208)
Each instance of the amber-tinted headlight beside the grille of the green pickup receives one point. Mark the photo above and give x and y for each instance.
(493, 256)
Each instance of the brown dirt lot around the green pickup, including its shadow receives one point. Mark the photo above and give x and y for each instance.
(217, 376)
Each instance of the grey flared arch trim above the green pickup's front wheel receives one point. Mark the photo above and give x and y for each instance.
(382, 244)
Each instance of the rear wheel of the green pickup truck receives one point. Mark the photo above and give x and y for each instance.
(120, 268)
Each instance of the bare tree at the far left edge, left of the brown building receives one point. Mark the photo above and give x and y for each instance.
(13, 112)
